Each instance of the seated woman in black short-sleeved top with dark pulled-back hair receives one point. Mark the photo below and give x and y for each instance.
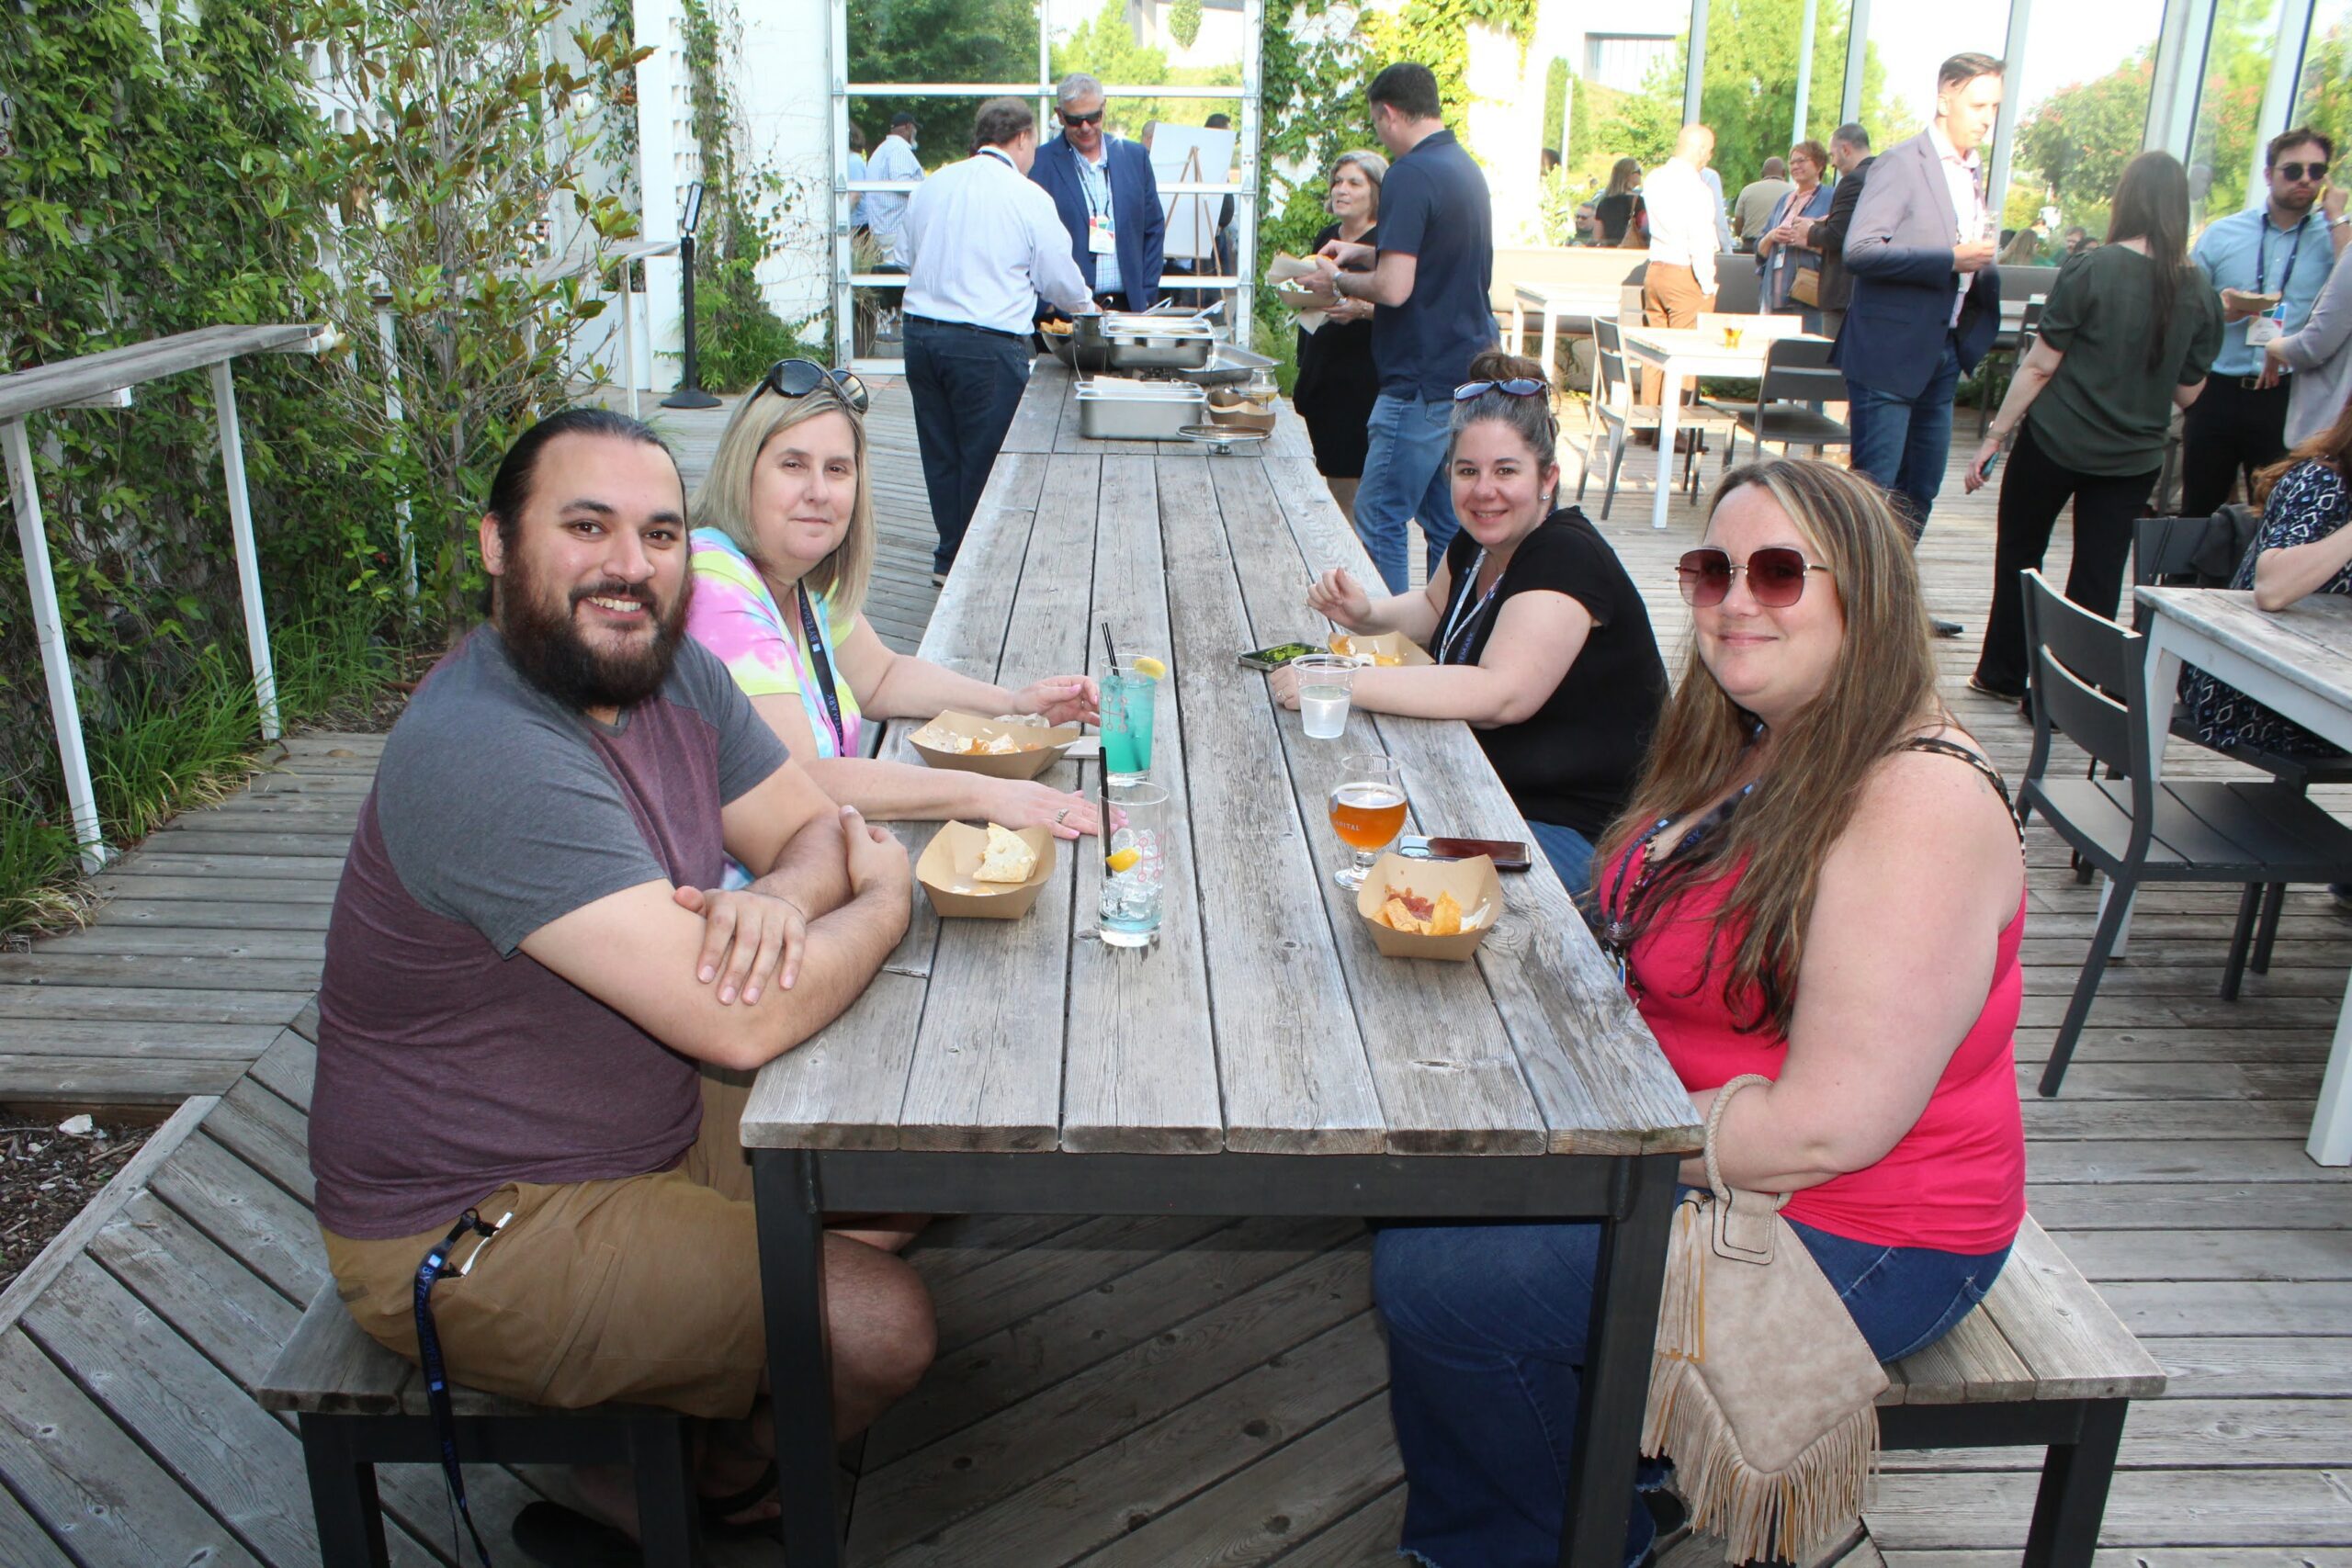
(1542, 641)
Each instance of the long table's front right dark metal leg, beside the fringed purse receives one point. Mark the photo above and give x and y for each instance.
(1615, 1388)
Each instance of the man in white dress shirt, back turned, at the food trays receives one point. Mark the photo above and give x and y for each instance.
(982, 248)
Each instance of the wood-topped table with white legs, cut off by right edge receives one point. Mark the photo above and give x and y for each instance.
(2297, 662)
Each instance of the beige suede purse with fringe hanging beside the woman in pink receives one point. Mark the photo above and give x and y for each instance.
(1760, 1386)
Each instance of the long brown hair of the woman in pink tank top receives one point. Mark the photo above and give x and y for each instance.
(1880, 692)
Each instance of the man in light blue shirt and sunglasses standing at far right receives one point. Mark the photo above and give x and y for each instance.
(2269, 264)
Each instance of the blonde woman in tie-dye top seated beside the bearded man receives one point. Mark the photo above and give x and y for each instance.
(784, 547)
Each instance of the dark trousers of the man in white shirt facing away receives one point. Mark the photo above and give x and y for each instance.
(965, 384)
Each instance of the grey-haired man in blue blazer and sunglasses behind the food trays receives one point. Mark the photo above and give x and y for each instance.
(1107, 196)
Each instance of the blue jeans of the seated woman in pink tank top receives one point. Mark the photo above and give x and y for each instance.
(1485, 1343)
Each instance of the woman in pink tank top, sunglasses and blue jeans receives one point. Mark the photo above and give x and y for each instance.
(1817, 880)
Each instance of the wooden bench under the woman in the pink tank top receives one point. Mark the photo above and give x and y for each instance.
(2040, 1365)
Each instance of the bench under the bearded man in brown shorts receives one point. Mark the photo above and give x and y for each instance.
(366, 1407)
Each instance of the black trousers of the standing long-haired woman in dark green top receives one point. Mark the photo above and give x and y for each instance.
(2033, 492)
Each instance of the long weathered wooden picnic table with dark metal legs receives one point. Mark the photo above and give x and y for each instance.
(1262, 1059)
